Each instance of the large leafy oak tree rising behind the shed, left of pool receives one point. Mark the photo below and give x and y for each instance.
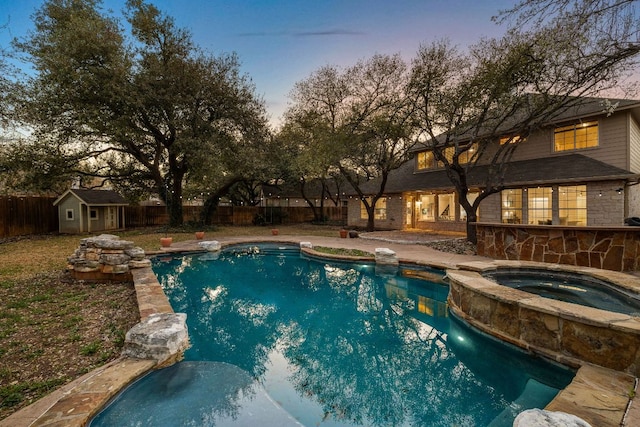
(141, 109)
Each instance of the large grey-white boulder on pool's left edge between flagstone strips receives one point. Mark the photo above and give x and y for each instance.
(161, 337)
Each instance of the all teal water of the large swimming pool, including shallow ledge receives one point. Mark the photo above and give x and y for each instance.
(279, 339)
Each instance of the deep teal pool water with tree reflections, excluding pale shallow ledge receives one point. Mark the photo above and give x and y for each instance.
(367, 349)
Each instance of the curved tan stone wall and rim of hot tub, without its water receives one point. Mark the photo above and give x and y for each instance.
(567, 333)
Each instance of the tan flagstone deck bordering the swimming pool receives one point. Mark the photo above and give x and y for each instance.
(600, 396)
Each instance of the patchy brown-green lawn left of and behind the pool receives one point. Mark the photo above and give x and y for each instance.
(54, 329)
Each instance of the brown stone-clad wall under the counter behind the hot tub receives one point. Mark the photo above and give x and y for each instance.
(609, 248)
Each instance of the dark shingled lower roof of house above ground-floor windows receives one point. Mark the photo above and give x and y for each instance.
(548, 170)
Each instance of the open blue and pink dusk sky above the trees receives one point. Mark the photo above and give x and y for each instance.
(282, 42)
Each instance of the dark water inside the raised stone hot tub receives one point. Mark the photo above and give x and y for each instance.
(570, 287)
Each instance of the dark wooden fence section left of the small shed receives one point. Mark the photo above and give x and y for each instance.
(21, 216)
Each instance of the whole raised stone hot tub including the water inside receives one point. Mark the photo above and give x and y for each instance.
(574, 315)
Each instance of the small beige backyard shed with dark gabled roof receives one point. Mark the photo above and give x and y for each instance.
(89, 211)
